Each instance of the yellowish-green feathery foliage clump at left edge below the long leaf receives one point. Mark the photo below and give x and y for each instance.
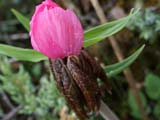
(17, 84)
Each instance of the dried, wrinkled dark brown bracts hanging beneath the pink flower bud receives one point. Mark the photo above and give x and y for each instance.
(76, 78)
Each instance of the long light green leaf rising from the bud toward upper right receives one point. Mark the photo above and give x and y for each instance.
(100, 32)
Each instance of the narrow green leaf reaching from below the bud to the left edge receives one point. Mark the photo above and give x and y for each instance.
(21, 53)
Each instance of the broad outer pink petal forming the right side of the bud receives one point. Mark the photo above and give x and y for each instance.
(68, 29)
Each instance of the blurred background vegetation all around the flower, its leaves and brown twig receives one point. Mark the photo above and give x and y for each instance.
(28, 91)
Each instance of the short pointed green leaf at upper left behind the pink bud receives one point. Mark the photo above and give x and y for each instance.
(23, 20)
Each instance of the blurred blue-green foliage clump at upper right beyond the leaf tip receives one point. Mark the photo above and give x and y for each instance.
(147, 24)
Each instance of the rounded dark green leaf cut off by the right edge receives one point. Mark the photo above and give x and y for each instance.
(152, 86)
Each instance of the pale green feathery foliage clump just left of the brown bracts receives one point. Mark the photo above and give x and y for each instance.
(48, 96)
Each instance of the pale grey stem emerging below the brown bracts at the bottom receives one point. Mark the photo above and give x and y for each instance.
(107, 113)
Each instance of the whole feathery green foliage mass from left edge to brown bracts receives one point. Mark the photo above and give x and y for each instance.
(37, 101)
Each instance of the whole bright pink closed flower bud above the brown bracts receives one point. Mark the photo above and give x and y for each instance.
(55, 32)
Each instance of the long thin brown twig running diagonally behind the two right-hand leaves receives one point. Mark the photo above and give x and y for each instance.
(127, 72)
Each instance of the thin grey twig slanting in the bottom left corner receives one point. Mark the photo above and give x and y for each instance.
(11, 114)
